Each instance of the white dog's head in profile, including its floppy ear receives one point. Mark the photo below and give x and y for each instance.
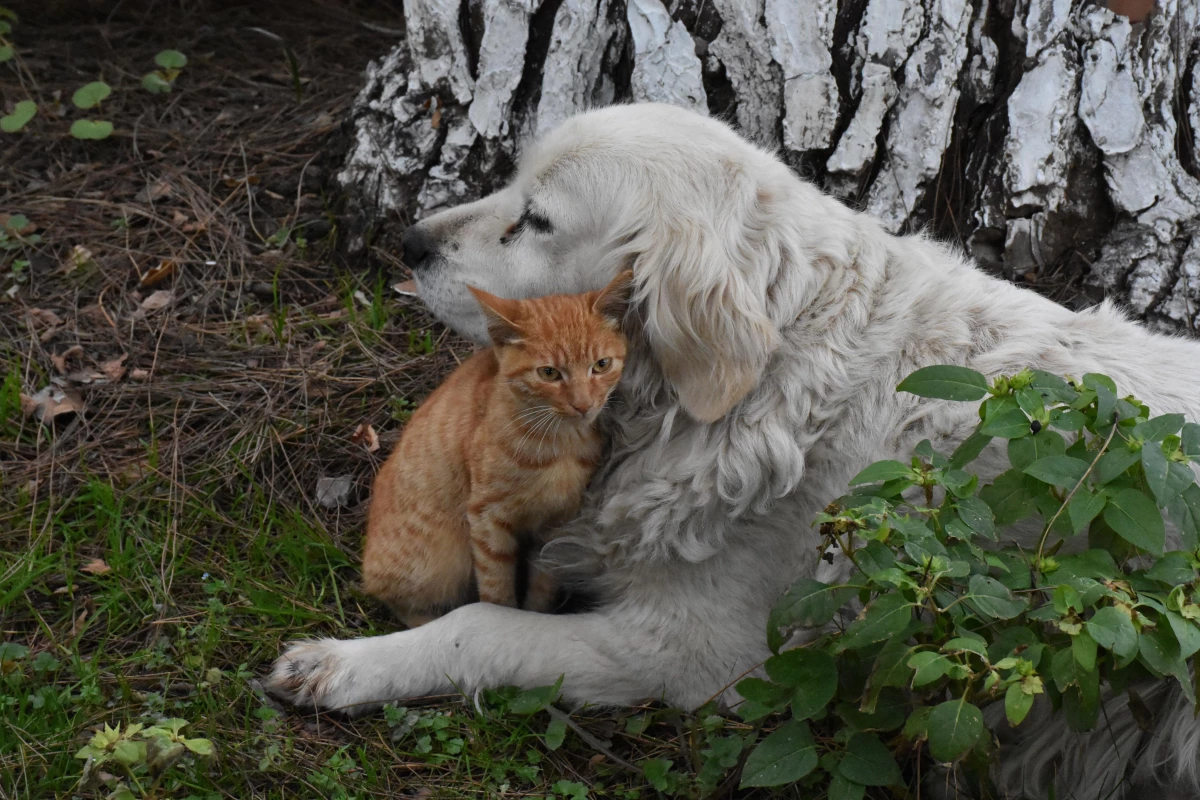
(675, 196)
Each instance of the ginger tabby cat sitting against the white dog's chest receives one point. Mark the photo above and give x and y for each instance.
(496, 455)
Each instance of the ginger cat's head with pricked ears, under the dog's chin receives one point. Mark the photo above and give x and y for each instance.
(566, 352)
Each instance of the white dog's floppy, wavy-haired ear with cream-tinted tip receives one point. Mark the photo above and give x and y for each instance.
(706, 314)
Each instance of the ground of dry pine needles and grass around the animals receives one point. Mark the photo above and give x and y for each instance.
(213, 359)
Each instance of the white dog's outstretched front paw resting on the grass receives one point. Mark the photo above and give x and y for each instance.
(316, 675)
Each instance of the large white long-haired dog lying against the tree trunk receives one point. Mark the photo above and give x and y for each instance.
(772, 327)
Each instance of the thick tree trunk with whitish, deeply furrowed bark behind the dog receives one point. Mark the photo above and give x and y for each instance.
(1058, 142)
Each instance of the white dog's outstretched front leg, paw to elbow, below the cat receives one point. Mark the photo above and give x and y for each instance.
(475, 647)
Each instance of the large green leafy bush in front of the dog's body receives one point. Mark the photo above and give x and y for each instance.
(956, 617)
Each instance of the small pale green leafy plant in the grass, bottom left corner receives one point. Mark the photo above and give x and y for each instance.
(143, 755)
